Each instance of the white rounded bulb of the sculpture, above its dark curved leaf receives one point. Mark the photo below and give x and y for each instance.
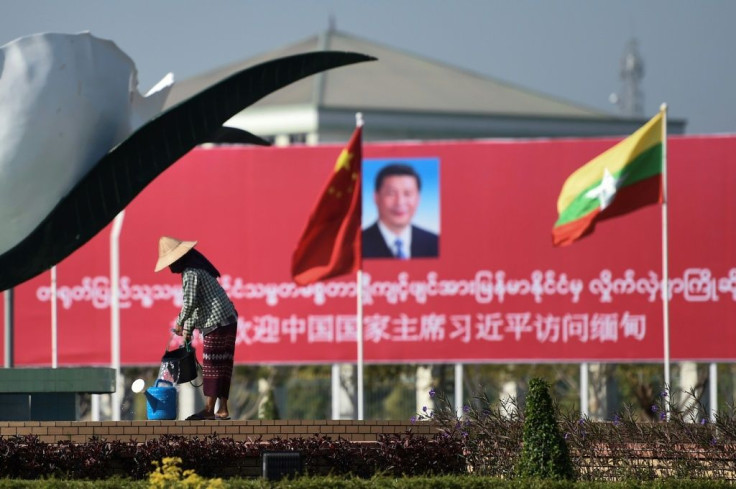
(65, 101)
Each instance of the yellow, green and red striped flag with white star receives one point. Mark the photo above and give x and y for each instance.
(620, 180)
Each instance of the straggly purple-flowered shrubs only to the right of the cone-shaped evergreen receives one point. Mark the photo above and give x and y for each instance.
(672, 444)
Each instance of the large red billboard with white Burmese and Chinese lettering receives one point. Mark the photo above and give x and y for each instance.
(498, 291)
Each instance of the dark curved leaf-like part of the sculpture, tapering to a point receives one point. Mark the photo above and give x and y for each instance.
(126, 169)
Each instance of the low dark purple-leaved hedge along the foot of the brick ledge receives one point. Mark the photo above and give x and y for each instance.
(25, 457)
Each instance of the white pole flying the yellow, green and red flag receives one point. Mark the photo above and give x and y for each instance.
(665, 265)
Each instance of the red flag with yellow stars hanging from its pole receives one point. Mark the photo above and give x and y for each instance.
(330, 243)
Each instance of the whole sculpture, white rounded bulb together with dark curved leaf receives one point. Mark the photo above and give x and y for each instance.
(78, 141)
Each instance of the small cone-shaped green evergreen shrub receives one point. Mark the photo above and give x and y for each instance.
(544, 453)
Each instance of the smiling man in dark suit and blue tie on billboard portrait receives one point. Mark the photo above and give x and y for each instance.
(396, 196)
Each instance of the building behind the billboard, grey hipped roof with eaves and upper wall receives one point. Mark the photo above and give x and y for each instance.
(405, 96)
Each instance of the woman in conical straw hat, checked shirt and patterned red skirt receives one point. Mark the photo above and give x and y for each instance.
(206, 307)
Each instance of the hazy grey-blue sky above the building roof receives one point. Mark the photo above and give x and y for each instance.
(569, 49)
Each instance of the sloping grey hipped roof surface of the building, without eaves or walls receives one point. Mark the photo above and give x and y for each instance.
(398, 81)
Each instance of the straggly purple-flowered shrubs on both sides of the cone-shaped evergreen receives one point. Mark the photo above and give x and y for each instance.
(672, 444)
